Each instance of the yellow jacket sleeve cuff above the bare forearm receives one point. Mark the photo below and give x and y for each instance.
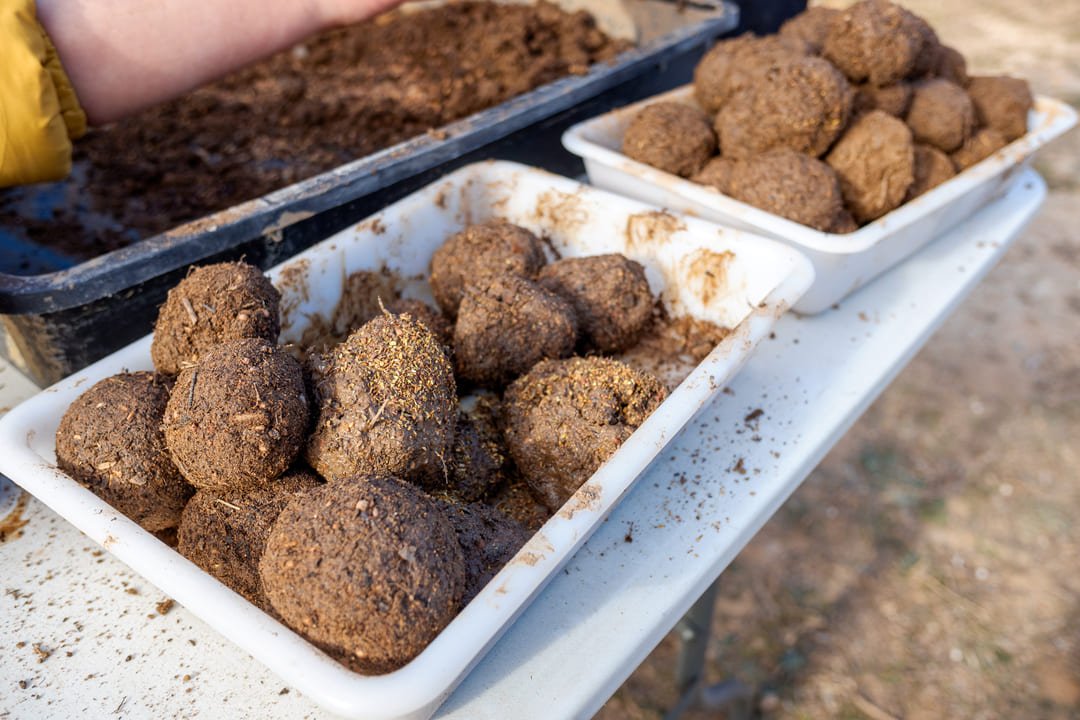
(39, 112)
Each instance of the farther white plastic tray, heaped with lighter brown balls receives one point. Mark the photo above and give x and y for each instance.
(843, 263)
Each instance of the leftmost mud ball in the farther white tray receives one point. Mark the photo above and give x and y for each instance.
(671, 137)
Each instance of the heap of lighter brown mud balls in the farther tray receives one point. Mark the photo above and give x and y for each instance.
(841, 118)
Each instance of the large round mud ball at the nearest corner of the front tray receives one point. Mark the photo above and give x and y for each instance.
(370, 569)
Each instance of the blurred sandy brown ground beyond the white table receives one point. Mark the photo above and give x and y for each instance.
(930, 567)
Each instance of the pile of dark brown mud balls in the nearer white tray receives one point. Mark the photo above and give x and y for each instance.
(347, 492)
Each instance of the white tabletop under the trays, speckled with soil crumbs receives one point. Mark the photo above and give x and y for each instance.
(106, 651)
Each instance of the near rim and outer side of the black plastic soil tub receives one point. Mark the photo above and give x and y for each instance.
(59, 322)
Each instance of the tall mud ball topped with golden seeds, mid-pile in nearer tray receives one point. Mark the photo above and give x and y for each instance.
(387, 404)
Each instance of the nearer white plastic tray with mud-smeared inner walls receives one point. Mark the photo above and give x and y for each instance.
(682, 261)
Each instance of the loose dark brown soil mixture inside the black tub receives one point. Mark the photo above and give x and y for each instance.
(336, 99)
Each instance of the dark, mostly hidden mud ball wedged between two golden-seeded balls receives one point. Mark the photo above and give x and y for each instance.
(479, 457)
